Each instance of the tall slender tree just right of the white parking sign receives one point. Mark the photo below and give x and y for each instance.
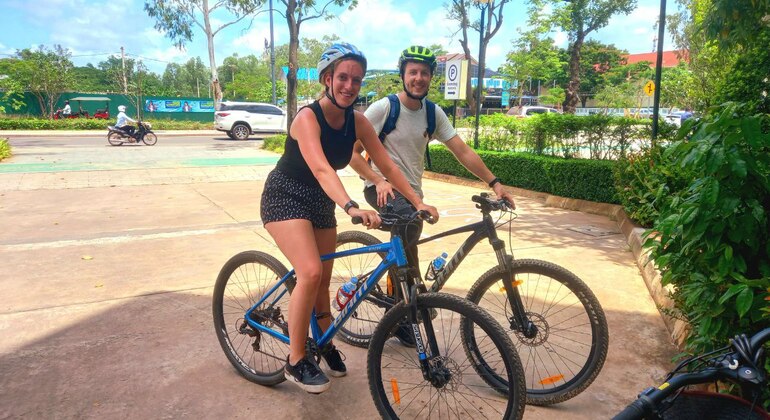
(459, 11)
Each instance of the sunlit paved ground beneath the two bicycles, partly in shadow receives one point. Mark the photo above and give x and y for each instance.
(109, 257)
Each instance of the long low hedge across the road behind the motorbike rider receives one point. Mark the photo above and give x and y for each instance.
(14, 123)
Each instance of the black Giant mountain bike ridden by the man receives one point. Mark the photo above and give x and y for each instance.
(556, 322)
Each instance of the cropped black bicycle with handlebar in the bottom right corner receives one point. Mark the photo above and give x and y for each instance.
(741, 363)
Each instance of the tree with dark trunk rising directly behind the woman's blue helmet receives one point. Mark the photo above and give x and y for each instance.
(297, 12)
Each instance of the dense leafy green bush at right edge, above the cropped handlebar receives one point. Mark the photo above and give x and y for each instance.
(710, 240)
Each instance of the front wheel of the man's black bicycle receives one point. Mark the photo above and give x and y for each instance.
(570, 346)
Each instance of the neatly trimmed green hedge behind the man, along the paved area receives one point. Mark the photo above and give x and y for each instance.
(583, 179)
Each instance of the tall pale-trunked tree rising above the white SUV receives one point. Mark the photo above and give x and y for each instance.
(177, 19)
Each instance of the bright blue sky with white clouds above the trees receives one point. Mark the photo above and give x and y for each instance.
(93, 30)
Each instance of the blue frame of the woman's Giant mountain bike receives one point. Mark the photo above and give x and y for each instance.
(395, 256)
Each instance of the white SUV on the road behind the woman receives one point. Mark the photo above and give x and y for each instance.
(241, 119)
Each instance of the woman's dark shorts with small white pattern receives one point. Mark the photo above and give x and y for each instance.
(285, 198)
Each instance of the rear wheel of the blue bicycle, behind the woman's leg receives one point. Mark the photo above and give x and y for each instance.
(243, 280)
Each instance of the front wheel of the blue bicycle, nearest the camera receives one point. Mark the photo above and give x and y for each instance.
(454, 390)
